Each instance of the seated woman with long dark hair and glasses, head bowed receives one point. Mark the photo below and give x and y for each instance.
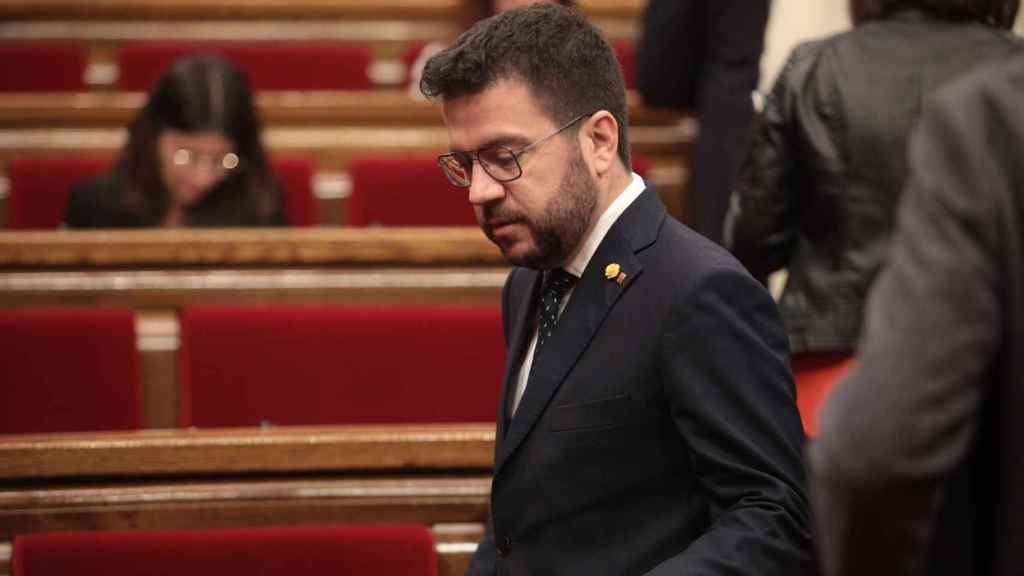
(193, 158)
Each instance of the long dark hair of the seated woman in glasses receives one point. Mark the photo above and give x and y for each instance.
(200, 94)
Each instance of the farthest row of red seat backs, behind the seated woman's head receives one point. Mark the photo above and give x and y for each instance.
(54, 66)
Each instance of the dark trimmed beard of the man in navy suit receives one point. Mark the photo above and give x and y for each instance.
(559, 231)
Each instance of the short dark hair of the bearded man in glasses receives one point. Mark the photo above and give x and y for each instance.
(565, 62)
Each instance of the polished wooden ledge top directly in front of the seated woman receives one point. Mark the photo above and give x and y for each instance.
(279, 248)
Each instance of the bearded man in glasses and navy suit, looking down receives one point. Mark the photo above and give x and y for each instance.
(648, 422)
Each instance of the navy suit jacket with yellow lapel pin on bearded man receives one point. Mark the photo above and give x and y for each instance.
(660, 433)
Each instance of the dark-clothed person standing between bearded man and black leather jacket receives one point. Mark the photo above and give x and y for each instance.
(705, 58)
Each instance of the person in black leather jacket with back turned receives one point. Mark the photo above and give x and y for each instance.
(819, 189)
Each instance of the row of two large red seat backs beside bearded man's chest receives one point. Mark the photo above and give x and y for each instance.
(74, 369)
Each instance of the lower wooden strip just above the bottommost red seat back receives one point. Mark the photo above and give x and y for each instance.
(426, 501)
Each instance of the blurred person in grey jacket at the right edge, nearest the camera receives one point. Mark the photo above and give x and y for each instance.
(918, 468)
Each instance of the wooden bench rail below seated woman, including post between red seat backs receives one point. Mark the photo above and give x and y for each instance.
(158, 272)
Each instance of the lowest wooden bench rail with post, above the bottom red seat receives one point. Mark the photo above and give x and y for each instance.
(433, 475)
